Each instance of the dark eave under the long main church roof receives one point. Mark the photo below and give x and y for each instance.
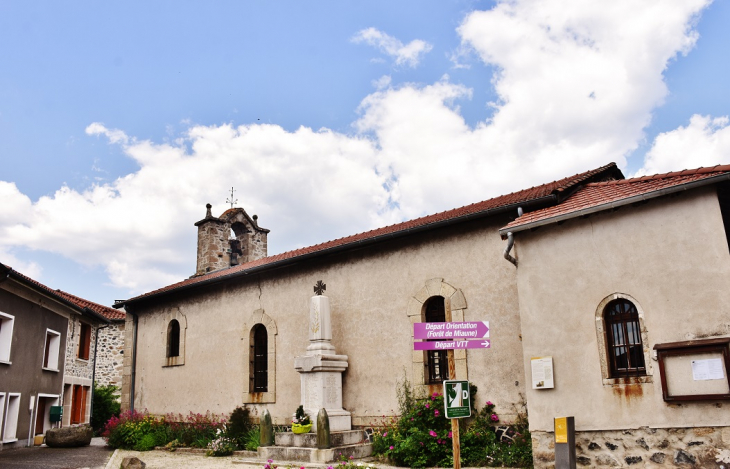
(344, 247)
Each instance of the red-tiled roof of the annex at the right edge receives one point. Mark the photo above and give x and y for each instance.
(599, 196)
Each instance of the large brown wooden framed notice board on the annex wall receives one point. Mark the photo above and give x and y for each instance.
(695, 370)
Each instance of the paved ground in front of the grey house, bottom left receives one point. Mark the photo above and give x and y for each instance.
(43, 457)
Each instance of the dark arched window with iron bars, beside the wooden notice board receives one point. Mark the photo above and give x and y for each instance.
(623, 339)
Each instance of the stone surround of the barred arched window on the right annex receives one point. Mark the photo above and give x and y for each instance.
(603, 343)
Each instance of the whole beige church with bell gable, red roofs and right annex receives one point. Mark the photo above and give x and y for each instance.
(611, 281)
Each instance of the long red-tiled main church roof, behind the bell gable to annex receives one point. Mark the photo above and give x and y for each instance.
(544, 194)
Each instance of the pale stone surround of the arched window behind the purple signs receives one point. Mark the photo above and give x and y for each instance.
(416, 313)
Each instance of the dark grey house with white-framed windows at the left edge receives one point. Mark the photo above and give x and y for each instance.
(47, 351)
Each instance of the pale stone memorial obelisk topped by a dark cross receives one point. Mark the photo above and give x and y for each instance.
(320, 368)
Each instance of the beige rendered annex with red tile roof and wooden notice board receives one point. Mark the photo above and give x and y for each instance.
(626, 286)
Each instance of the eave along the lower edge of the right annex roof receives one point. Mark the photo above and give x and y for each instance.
(618, 203)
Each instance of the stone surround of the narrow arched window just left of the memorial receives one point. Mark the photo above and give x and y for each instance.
(268, 397)
